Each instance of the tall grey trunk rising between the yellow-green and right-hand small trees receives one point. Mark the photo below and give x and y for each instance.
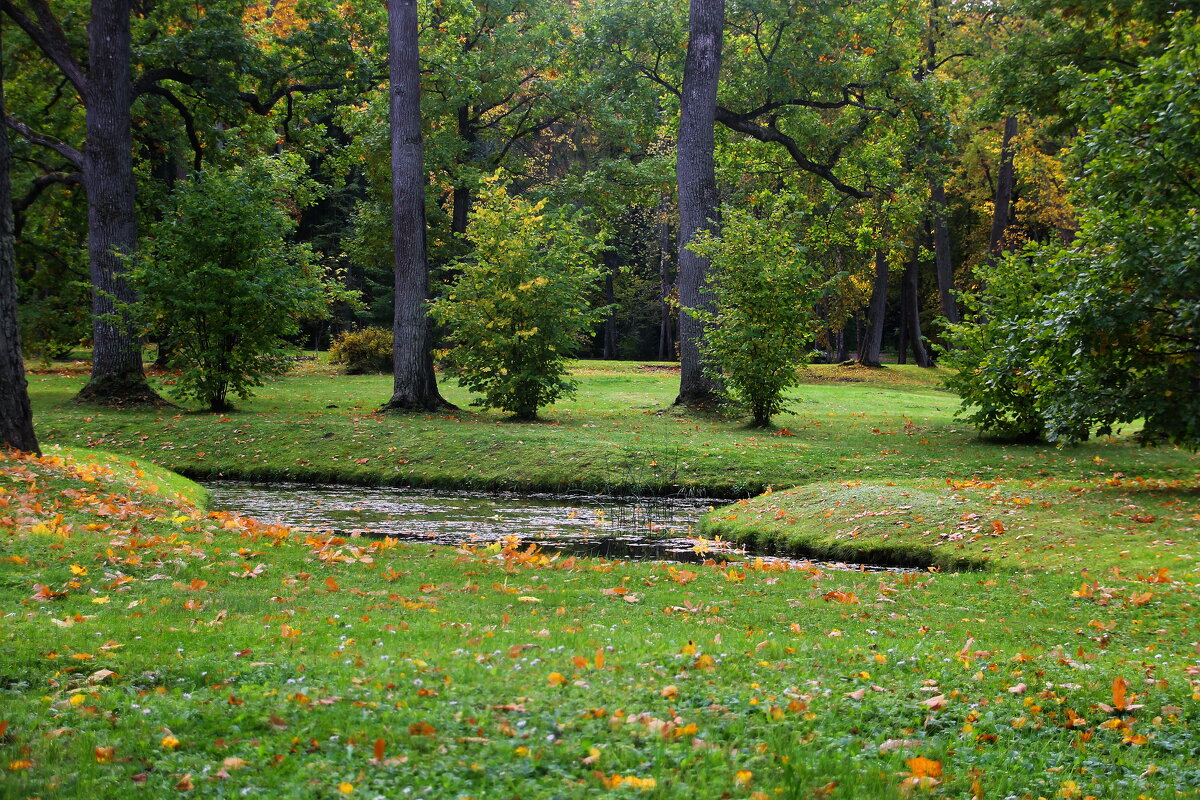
(698, 189)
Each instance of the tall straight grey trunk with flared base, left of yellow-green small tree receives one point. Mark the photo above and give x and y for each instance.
(415, 384)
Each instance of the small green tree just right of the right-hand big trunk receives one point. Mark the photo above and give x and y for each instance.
(761, 332)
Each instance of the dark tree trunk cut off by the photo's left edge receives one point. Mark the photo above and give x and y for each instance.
(16, 417)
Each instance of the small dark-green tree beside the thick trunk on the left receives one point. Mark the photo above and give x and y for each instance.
(221, 286)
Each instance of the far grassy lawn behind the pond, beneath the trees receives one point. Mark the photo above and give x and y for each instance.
(620, 435)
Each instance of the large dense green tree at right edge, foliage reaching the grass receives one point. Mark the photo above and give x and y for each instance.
(1115, 335)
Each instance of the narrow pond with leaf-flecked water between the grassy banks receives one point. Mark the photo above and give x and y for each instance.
(584, 525)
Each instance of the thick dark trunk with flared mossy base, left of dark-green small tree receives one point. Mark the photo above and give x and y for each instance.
(117, 374)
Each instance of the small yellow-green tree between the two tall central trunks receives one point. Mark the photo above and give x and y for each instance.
(520, 305)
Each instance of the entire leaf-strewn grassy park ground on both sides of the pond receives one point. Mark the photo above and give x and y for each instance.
(1046, 647)
